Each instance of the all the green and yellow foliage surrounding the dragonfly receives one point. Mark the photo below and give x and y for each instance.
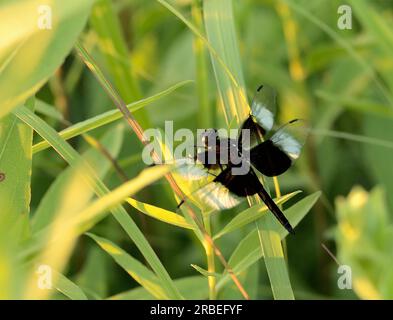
(64, 198)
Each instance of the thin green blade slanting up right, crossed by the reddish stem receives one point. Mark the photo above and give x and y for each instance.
(107, 117)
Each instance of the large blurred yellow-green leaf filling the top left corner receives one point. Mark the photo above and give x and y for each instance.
(35, 37)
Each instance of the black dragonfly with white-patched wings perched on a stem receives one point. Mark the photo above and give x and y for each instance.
(268, 151)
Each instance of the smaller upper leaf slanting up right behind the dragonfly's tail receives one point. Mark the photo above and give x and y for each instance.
(251, 214)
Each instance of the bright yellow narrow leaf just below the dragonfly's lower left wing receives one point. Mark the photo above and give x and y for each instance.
(160, 214)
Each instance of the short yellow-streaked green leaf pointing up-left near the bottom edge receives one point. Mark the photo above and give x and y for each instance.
(146, 278)
